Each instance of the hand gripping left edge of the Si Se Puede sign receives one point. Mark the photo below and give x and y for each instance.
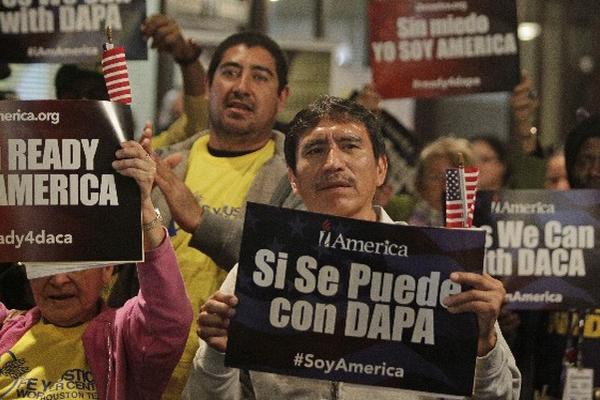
(214, 320)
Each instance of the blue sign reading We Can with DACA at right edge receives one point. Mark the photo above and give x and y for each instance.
(543, 245)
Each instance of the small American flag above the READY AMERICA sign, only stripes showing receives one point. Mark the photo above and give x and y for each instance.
(116, 77)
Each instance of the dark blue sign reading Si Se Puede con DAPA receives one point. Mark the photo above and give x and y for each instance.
(347, 300)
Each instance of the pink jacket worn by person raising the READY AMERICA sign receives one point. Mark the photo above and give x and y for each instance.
(132, 350)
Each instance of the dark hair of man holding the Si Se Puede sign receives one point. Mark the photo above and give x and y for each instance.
(334, 109)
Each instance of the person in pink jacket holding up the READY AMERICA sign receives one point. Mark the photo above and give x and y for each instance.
(70, 345)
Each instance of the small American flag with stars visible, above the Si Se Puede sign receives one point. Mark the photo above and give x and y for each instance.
(457, 189)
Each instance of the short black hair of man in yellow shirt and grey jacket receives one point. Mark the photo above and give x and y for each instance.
(251, 39)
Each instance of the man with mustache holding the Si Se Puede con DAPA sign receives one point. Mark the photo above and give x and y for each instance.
(336, 160)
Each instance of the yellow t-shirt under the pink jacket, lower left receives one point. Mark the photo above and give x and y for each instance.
(48, 362)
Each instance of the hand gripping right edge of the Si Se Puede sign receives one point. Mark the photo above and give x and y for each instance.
(485, 300)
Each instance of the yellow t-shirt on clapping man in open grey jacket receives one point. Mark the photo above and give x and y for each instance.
(220, 184)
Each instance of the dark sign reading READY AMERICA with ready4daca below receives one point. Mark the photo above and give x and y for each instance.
(60, 198)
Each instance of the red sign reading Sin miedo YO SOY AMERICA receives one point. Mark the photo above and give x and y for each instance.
(430, 48)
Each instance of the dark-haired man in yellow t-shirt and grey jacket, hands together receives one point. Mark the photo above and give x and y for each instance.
(240, 158)
